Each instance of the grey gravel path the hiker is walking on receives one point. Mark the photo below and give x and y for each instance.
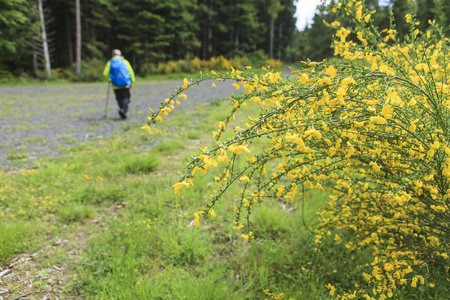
(37, 121)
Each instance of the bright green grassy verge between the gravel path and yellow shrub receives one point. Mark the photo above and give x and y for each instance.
(102, 222)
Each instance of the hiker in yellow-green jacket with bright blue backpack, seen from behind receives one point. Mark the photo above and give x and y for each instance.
(119, 71)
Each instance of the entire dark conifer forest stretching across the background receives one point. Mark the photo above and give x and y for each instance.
(68, 36)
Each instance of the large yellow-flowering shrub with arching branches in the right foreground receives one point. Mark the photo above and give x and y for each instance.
(371, 129)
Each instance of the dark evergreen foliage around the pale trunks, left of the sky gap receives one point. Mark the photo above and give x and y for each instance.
(147, 31)
